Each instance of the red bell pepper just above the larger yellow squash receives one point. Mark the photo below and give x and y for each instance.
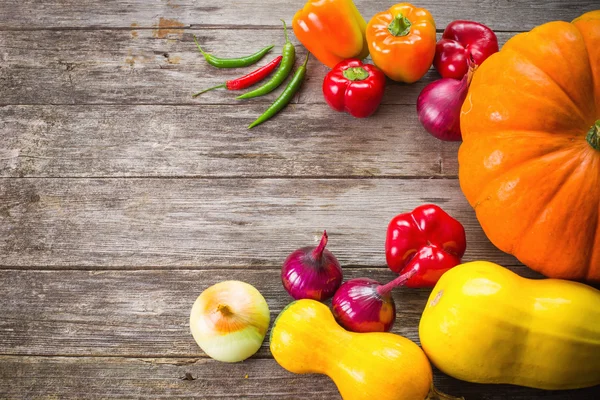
(426, 240)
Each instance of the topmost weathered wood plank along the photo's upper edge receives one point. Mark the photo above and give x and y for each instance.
(500, 14)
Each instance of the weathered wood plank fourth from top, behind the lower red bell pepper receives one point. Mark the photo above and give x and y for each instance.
(213, 222)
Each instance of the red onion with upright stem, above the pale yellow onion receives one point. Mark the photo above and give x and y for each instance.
(312, 272)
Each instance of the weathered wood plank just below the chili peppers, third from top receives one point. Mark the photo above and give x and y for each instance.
(212, 141)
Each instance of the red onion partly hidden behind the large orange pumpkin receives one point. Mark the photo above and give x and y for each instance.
(439, 106)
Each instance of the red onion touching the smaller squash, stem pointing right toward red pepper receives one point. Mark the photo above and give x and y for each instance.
(364, 305)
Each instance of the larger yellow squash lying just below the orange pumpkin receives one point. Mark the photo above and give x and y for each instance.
(483, 323)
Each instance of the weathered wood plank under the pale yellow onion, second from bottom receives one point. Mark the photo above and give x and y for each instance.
(139, 313)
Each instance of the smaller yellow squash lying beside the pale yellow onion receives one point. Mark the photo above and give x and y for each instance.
(306, 339)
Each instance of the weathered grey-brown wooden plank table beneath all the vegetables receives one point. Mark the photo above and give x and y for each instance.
(122, 198)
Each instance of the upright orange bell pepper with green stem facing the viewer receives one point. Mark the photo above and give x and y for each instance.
(402, 42)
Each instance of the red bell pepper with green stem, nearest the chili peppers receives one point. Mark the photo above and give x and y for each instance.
(354, 87)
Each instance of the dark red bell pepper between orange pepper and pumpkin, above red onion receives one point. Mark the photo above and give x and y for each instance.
(463, 41)
